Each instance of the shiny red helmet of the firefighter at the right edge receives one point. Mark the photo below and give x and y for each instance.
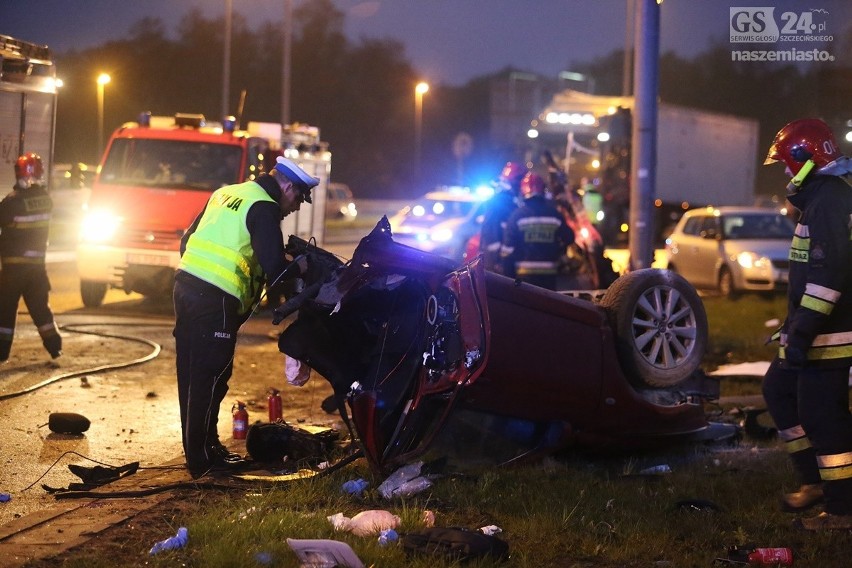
(803, 140)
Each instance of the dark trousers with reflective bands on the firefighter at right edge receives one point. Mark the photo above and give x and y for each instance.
(810, 407)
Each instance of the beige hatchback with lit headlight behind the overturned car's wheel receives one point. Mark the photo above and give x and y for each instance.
(732, 249)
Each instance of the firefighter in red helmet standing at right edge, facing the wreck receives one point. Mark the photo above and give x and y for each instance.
(807, 385)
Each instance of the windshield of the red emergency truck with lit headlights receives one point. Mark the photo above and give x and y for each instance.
(171, 164)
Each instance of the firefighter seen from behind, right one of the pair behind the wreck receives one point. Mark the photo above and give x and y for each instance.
(536, 237)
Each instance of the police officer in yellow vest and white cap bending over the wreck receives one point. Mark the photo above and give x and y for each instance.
(231, 250)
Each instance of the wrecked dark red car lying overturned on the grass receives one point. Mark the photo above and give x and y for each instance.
(429, 357)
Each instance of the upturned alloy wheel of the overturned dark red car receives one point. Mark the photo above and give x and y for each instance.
(660, 326)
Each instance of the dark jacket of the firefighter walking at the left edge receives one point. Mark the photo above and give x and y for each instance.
(24, 225)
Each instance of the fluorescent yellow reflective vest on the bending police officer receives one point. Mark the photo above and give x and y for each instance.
(219, 249)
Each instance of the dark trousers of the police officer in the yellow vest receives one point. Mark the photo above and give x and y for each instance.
(206, 324)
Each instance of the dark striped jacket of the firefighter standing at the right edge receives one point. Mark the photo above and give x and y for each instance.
(819, 296)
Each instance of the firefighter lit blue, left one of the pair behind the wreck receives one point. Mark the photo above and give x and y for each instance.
(497, 212)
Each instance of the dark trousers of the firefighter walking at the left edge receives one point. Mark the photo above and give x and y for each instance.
(30, 282)
